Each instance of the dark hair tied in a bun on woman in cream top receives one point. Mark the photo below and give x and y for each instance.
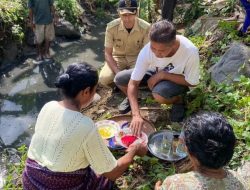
(77, 77)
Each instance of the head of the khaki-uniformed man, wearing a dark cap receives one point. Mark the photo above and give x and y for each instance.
(127, 10)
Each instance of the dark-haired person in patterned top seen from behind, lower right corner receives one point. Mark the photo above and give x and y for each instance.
(210, 143)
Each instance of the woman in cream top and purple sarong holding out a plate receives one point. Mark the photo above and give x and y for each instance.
(66, 150)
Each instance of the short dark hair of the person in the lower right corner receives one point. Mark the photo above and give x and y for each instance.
(209, 138)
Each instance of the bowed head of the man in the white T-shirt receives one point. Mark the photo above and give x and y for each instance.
(162, 36)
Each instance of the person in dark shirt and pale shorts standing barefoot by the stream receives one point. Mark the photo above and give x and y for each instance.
(41, 15)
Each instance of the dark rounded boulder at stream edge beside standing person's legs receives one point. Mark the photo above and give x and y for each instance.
(66, 29)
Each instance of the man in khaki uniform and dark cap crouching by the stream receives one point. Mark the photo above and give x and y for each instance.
(124, 39)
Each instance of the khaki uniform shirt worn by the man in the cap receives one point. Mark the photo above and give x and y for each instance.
(126, 46)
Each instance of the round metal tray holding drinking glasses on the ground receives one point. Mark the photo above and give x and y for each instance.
(165, 146)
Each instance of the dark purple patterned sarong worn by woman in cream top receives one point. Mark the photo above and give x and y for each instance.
(38, 177)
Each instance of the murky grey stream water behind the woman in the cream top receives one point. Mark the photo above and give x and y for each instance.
(29, 85)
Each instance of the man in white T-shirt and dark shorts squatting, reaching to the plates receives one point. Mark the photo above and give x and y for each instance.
(169, 65)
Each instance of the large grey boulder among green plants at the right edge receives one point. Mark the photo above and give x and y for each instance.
(234, 62)
